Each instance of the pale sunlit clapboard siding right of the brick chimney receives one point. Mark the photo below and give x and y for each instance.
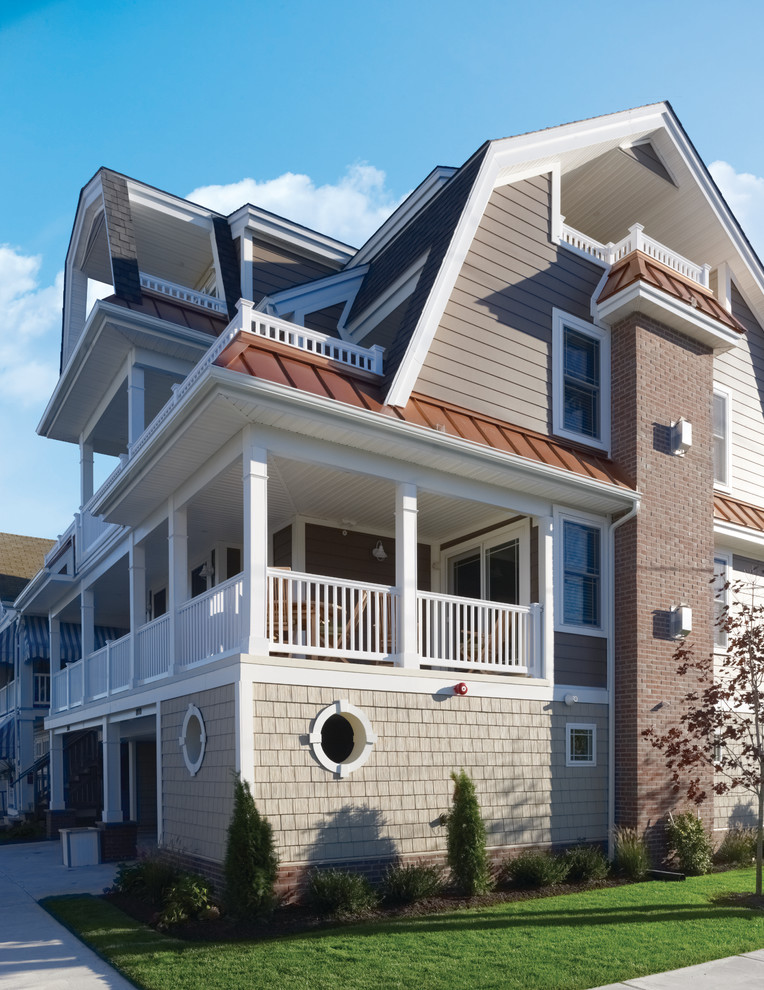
(741, 370)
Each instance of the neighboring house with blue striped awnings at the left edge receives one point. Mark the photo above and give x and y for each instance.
(24, 680)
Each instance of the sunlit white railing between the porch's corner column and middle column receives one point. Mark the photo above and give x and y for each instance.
(317, 616)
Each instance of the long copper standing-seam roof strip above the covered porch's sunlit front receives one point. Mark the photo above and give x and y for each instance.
(319, 376)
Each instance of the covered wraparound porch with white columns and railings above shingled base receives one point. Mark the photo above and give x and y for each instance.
(268, 554)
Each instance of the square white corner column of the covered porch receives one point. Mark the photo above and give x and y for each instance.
(255, 479)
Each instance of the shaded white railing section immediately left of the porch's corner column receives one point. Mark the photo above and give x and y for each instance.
(212, 623)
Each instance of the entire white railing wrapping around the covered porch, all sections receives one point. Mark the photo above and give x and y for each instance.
(310, 616)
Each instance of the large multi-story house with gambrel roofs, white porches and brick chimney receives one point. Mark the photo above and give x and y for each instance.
(444, 501)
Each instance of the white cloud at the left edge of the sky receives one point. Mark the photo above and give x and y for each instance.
(30, 322)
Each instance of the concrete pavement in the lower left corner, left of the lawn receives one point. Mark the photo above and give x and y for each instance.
(36, 953)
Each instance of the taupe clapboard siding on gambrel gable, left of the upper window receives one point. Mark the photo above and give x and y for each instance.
(491, 352)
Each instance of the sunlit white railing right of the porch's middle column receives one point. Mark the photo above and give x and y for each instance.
(469, 634)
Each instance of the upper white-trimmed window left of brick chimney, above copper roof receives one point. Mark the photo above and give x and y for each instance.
(581, 380)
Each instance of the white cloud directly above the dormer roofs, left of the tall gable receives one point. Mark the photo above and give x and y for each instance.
(350, 210)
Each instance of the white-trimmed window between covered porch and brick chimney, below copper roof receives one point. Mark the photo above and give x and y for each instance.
(581, 575)
